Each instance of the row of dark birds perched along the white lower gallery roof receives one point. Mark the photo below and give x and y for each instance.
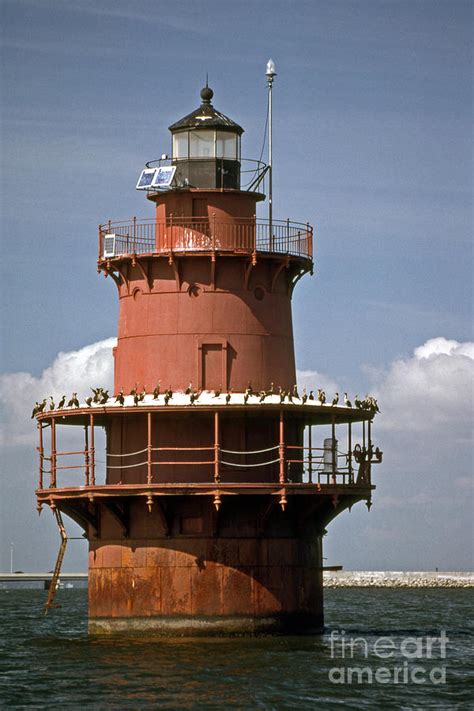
(101, 397)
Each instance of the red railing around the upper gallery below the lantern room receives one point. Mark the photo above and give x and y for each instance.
(205, 234)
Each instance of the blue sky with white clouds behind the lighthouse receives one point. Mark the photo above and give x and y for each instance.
(372, 145)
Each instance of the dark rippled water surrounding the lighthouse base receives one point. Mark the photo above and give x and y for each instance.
(51, 662)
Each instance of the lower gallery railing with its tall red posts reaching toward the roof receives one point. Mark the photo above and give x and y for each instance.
(281, 463)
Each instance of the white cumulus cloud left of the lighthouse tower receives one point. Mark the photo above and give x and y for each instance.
(73, 371)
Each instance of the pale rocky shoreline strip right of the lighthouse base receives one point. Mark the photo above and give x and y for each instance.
(397, 579)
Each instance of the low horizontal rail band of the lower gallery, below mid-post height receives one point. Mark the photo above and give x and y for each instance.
(299, 464)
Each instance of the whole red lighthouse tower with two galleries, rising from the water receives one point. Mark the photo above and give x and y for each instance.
(220, 476)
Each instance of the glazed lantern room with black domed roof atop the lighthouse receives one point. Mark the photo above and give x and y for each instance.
(206, 148)
